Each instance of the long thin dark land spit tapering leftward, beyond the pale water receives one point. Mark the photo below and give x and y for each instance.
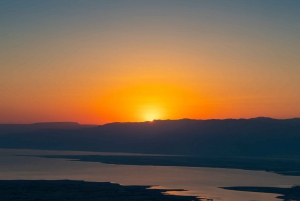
(291, 167)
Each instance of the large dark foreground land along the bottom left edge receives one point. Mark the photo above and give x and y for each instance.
(66, 190)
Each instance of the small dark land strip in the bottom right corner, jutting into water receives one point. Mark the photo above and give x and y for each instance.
(287, 194)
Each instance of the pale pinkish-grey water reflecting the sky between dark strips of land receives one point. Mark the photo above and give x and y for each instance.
(203, 182)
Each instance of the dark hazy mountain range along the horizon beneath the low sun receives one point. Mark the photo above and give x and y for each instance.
(257, 137)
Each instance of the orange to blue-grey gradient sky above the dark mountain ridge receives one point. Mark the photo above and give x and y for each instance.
(103, 61)
